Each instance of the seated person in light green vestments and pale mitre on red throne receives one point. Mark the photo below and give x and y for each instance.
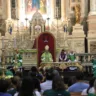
(46, 56)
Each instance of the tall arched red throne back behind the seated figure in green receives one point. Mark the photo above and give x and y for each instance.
(44, 39)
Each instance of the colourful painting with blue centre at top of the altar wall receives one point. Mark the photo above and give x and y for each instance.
(33, 5)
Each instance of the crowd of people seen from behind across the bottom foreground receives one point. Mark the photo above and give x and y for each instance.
(47, 82)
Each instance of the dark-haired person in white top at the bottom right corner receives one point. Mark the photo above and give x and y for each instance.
(90, 89)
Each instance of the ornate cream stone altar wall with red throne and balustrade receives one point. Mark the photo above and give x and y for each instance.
(27, 26)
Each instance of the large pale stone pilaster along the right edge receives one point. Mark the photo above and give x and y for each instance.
(92, 27)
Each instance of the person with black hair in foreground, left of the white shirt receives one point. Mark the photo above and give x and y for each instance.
(28, 87)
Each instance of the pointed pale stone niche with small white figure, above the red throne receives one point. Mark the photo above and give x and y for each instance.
(37, 24)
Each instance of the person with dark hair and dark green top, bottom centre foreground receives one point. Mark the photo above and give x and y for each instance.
(58, 88)
